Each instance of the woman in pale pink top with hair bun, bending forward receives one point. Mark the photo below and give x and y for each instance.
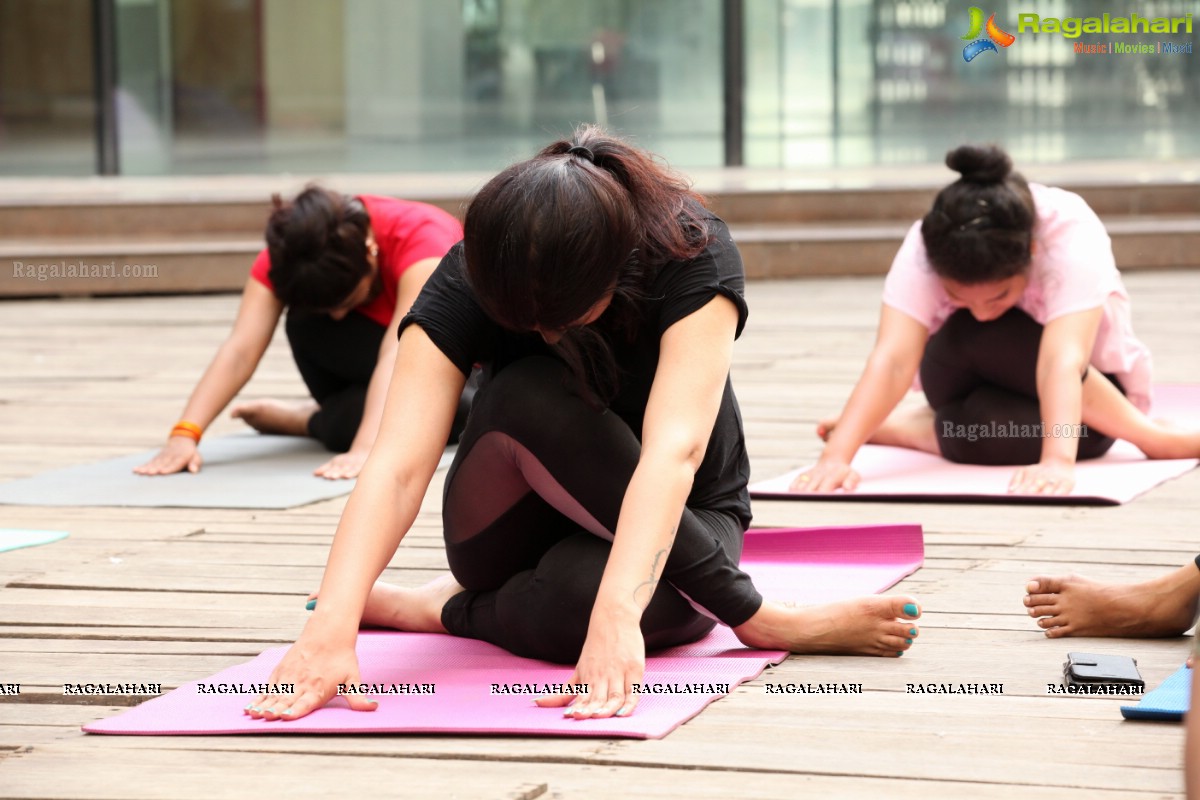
(1007, 300)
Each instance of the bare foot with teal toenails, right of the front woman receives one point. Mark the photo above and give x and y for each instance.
(865, 627)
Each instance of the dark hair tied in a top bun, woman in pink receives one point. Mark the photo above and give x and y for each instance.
(981, 227)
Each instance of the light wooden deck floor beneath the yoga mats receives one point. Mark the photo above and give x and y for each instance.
(175, 596)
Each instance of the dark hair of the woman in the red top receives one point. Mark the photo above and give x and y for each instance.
(317, 246)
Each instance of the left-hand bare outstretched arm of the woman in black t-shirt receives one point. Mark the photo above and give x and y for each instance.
(422, 401)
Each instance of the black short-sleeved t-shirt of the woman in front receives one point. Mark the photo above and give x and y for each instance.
(449, 314)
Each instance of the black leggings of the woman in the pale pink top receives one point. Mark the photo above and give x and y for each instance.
(981, 380)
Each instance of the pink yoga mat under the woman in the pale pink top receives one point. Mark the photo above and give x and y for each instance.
(899, 474)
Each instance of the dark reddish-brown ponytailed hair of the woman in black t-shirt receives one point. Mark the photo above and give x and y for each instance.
(549, 238)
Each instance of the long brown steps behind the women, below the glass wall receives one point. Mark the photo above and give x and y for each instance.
(200, 234)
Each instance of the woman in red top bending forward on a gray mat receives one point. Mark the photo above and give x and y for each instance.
(347, 269)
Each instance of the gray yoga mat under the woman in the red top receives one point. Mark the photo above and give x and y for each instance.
(241, 472)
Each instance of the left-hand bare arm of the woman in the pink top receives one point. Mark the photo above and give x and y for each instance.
(895, 360)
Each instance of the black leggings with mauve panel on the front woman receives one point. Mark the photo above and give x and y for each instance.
(530, 510)
